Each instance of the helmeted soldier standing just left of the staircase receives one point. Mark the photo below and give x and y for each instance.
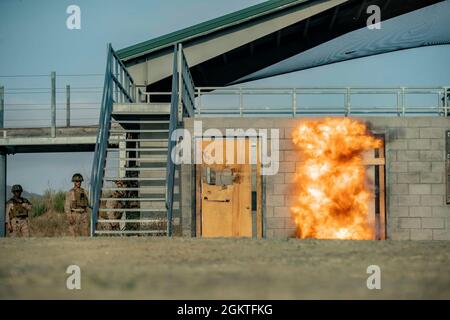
(76, 207)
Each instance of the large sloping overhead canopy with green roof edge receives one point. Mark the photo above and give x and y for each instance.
(282, 36)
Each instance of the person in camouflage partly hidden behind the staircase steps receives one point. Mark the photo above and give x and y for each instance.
(114, 203)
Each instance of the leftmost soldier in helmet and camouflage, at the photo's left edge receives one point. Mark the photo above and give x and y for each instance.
(17, 213)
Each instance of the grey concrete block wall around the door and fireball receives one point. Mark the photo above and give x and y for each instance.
(415, 175)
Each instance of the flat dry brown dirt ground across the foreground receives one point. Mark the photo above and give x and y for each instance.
(180, 268)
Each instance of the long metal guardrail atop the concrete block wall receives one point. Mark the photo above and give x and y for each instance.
(346, 105)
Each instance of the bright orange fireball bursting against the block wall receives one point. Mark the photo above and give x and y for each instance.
(332, 197)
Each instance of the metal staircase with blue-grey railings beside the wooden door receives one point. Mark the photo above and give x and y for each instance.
(133, 146)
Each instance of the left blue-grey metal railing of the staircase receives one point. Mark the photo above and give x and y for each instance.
(118, 87)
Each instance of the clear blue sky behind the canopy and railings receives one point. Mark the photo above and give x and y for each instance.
(34, 40)
